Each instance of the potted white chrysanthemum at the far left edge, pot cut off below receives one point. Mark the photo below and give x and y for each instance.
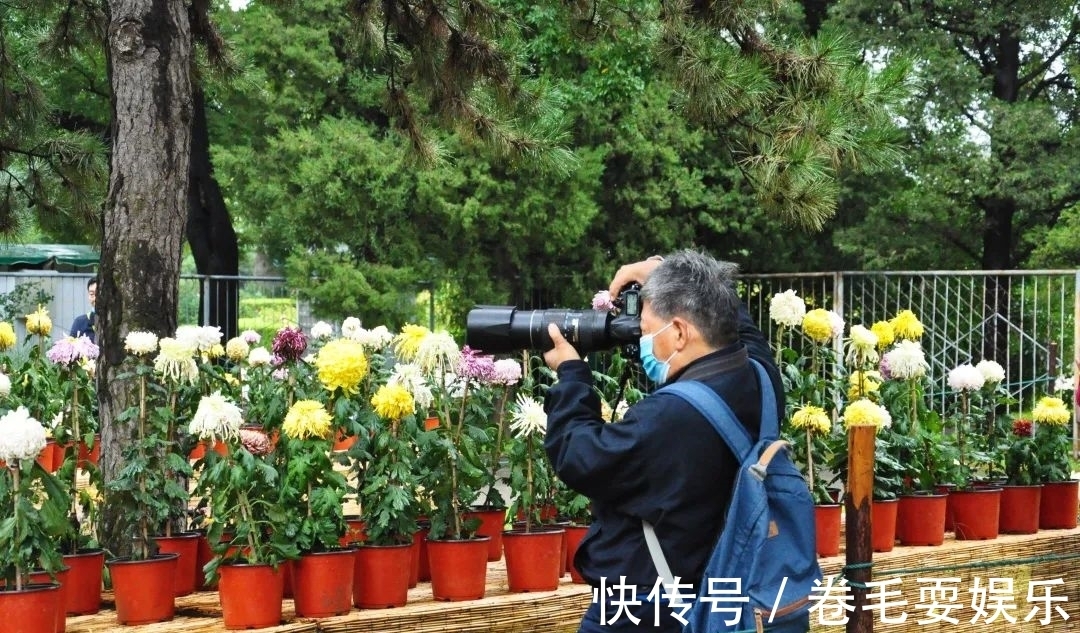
(32, 517)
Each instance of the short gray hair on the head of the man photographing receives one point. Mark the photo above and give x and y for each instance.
(701, 290)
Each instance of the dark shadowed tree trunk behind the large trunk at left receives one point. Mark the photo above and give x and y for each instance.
(210, 231)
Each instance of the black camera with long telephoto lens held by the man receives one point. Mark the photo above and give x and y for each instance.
(505, 329)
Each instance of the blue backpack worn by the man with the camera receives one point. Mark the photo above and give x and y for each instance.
(768, 538)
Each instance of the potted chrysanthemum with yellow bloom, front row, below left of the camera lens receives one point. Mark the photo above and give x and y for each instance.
(387, 491)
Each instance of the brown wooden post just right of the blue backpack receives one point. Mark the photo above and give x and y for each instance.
(859, 554)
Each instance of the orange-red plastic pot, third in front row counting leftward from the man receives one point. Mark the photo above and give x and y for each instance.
(382, 576)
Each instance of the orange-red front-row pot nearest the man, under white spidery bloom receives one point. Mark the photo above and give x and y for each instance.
(534, 559)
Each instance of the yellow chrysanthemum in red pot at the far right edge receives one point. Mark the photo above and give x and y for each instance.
(1058, 509)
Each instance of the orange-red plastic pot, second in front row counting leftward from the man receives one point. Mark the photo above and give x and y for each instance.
(458, 569)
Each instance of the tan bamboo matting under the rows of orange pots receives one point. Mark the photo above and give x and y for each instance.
(559, 612)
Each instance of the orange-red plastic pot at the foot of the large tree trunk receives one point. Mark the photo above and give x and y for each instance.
(144, 589)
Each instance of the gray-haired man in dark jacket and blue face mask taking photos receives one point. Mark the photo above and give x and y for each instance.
(664, 463)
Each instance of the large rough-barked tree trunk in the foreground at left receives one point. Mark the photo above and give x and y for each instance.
(150, 61)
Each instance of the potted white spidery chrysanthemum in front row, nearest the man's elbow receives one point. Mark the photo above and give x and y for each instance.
(535, 555)
